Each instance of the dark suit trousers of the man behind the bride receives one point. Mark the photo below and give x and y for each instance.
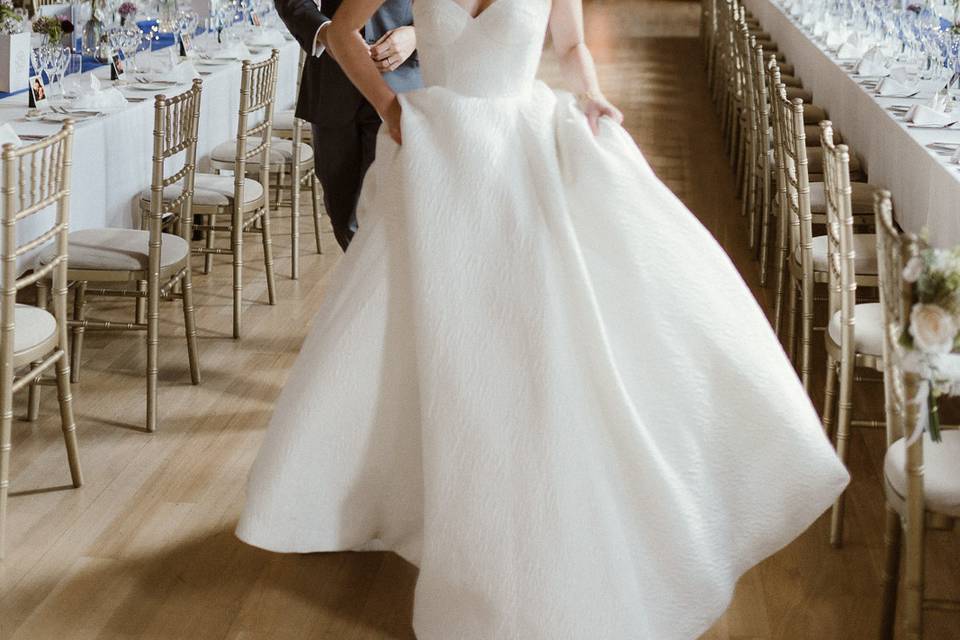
(342, 155)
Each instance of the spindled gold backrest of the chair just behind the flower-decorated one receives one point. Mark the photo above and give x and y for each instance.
(841, 254)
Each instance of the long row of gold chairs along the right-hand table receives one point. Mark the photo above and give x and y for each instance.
(791, 167)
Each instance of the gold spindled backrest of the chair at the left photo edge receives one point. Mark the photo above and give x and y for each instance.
(36, 178)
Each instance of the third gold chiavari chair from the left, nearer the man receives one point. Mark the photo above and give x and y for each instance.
(247, 204)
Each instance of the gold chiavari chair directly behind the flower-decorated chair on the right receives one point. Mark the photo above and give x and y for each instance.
(854, 335)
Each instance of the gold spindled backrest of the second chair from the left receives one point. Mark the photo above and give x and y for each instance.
(176, 123)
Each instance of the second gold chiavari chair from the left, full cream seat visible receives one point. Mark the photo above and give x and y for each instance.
(119, 259)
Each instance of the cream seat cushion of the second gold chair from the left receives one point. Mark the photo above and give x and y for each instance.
(121, 250)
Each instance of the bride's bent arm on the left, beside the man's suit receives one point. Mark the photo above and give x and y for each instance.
(351, 53)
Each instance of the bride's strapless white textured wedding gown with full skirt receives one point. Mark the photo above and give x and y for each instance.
(536, 376)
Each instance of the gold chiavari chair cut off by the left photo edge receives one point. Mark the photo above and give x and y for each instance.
(36, 178)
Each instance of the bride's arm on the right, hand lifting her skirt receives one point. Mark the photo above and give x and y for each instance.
(566, 29)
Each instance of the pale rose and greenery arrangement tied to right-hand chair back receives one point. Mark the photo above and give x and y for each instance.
(933, 329)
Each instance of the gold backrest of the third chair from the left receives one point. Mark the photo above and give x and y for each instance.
(258, 92)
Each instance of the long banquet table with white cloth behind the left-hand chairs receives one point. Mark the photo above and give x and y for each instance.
(112, 152)
